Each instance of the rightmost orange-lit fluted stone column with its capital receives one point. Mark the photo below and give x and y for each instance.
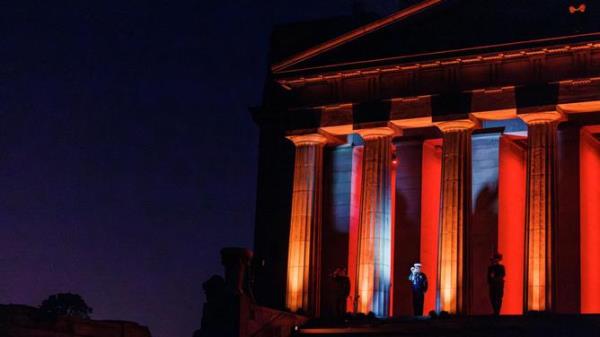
(540, 215)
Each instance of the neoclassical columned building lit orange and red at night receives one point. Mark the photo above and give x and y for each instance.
(442, 133)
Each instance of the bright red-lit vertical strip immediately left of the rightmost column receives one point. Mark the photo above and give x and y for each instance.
(512, 178)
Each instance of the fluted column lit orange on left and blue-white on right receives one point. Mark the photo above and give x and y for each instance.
(375, 227)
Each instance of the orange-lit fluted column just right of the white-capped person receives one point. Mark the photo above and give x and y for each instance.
(455, 205)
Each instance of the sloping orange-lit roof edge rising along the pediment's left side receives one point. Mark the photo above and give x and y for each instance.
(353, 34)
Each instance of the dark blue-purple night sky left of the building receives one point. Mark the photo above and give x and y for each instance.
(127, 152)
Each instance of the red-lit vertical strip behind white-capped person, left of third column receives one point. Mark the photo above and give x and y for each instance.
(430, 215)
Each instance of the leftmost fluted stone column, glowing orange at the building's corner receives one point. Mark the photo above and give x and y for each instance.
(303, 273)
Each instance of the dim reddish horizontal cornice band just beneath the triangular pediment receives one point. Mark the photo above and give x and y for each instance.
(434, 76)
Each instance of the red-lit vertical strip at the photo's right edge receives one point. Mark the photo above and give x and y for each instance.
(590, 219)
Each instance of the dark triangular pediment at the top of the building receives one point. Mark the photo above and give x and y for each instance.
(435, 27)
